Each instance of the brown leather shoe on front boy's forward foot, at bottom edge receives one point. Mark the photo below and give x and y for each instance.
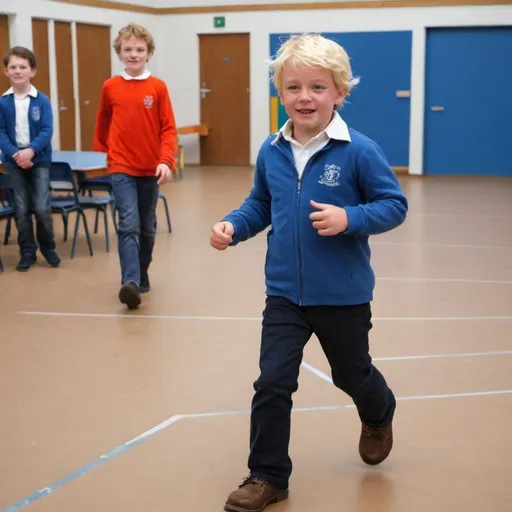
(254, 495)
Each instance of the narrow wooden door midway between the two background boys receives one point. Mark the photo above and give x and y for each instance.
(64, 58)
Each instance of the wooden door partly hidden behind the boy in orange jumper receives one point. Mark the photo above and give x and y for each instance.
(94, 67)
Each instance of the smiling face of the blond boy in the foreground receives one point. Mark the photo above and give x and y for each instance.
(309, 96)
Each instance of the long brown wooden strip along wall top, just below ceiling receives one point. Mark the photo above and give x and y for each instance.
(371, 4)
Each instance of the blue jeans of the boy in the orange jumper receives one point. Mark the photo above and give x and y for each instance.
(135, 199)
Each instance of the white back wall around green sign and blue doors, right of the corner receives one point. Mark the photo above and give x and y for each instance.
(178, 64)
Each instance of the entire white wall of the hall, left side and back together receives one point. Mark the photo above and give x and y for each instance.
(177, 49)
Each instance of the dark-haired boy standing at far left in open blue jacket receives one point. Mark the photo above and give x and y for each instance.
(26, 129)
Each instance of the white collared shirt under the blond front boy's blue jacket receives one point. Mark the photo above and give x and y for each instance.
(336, 129)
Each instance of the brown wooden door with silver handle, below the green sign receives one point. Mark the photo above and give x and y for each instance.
(224, 82)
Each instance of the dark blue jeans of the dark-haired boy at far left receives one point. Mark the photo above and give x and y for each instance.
(31, 189)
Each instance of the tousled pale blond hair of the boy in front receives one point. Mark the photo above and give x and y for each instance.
(315, 51)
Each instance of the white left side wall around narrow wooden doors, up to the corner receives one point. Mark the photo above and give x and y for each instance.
(21, 13)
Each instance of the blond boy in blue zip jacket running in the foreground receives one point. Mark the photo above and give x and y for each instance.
(324, 188)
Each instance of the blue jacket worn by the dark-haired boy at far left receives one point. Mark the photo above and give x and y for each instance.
(40, 120)
